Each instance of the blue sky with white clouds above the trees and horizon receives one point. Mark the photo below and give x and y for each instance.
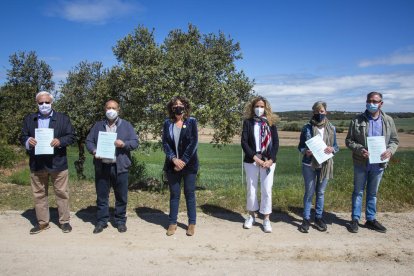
(297, 51)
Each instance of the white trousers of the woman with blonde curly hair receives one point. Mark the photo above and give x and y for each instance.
(253, 173)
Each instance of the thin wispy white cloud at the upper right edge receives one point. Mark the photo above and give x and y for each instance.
(401, 57)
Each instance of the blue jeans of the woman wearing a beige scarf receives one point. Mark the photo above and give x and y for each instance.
(313, 184)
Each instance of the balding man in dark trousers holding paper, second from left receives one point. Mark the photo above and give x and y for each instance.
(112, 171)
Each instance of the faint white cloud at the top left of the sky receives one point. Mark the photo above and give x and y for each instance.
(92, 11)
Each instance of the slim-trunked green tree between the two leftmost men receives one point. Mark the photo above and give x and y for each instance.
(82, 98)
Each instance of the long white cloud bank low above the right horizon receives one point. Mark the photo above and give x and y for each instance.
(343, 93)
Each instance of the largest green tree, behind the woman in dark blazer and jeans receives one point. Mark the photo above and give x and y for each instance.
(188, 63)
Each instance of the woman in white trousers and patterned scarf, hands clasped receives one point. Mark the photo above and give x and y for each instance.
(260, 143)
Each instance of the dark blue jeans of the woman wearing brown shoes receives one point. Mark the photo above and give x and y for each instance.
(174, 180)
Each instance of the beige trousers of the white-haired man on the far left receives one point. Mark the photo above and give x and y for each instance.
(40, 188)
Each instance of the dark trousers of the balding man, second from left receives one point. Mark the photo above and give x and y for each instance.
(105, 177)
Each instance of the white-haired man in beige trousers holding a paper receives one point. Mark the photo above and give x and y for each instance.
(48, 162)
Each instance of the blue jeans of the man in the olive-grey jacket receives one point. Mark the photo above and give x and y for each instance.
(372, 180)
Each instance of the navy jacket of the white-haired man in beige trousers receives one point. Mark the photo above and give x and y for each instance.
(63, 130)
